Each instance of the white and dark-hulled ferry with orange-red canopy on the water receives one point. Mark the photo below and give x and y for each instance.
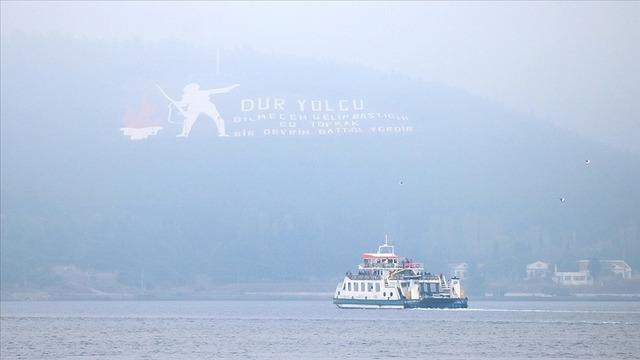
(386, 280)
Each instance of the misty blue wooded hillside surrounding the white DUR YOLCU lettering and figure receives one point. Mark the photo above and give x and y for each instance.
(474, 181)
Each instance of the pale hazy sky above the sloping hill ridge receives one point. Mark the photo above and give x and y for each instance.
(574, 64)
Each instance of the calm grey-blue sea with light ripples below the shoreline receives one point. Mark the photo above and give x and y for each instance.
(317, 330)
